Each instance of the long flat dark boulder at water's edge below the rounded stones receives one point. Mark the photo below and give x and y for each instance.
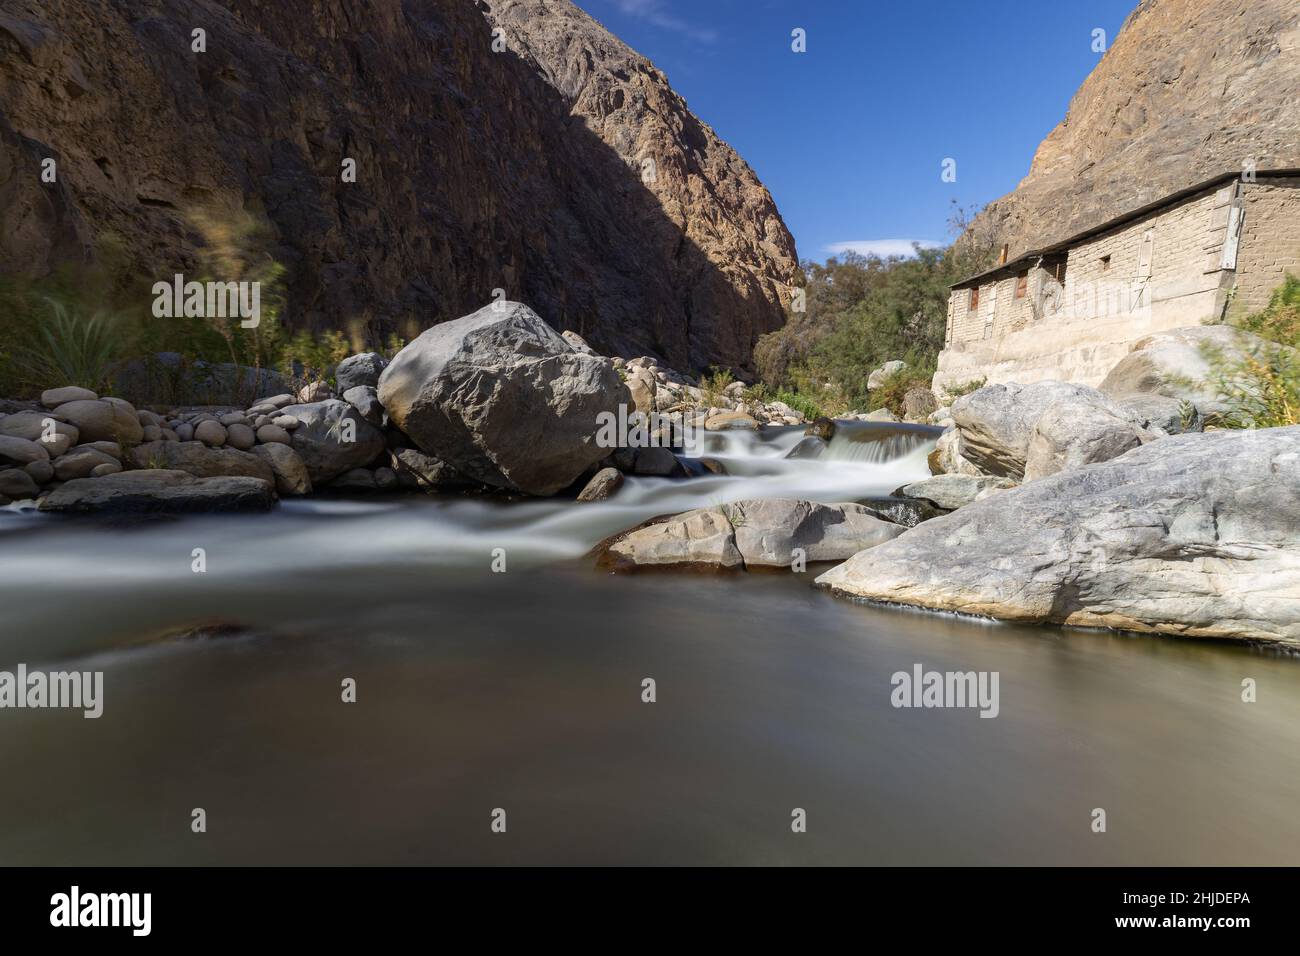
(159, 492)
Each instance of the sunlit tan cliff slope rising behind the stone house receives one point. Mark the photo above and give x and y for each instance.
(1189, 90)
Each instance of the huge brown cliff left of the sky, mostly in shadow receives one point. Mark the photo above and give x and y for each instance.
(521, 170)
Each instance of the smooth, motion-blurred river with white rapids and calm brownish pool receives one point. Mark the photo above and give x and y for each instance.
(522, 690)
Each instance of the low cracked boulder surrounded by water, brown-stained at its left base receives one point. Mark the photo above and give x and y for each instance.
(749, 534)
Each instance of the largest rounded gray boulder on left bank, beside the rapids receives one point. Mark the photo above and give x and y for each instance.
(504, 399)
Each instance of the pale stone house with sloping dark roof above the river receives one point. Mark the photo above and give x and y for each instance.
(1071, 312)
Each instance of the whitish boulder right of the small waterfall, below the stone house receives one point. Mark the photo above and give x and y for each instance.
(999, 426)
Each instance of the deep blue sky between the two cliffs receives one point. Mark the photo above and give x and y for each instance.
(852, 135)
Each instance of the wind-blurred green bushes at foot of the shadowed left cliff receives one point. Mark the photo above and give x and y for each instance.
(84, 326)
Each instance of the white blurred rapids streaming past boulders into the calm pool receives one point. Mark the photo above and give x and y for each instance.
(864, 461)
